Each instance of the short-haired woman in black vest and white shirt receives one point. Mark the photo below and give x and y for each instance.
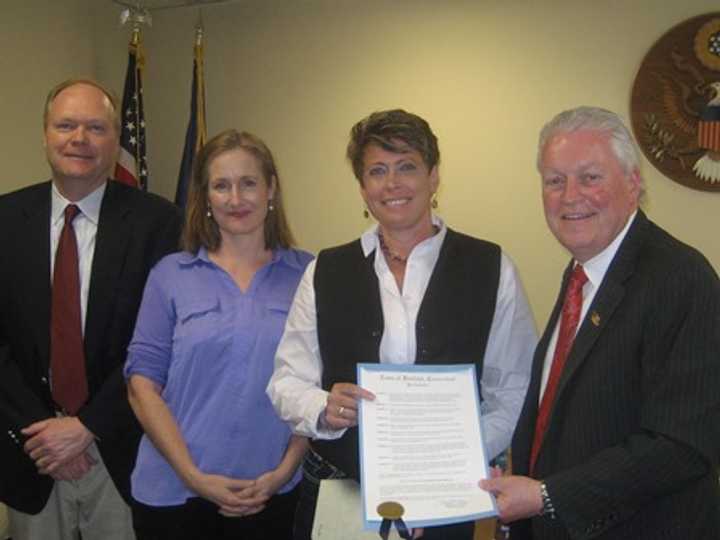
(410, 290)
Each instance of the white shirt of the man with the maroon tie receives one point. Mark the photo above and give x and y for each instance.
(85, 225)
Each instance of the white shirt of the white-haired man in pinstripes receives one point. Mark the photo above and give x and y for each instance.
(595, 270)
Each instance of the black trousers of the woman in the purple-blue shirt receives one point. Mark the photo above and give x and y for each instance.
(199, 519)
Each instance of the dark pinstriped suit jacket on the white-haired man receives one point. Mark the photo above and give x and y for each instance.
(633, 441)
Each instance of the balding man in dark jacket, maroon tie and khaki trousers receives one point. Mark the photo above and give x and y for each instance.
(65, 461)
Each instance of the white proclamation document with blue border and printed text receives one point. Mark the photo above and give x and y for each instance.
(421, 444)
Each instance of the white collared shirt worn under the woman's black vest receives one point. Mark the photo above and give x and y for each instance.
(295, 387)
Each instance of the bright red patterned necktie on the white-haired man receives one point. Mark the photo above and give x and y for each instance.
(572, 306)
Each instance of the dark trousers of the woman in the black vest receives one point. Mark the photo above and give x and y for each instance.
(316, 469)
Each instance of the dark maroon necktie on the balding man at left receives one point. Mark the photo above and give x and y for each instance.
(67, 356)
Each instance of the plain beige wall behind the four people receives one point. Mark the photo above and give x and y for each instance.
(485, 73)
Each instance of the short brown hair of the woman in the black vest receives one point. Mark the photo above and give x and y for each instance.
(393, 130)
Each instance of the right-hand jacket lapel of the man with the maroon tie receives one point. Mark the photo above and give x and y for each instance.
(111, 245)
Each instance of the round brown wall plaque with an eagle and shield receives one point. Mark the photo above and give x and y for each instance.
(675, 104)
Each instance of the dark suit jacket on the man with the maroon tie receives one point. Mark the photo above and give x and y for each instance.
(135, 229)
